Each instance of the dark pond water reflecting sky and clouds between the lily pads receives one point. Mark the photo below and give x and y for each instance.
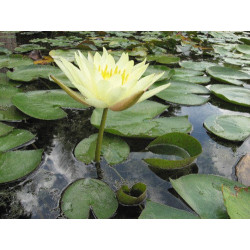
(38, 194)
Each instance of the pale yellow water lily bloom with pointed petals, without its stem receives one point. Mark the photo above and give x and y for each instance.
(104, 83)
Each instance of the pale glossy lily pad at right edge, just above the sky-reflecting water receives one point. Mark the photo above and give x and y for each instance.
(236, 95)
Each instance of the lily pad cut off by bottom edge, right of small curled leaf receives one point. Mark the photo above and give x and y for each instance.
(154, 210)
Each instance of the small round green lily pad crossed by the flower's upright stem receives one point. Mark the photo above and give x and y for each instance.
(114, 149)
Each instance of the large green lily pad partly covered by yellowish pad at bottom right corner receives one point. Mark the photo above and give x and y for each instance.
(203, 193)
